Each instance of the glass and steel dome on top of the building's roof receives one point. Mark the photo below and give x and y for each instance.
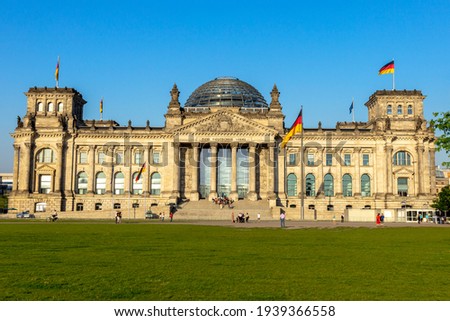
(226, 92)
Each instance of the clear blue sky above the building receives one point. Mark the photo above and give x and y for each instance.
(319, 53)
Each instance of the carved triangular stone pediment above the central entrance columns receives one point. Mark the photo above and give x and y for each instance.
(224, 122)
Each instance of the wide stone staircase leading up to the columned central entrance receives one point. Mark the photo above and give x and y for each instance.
(207, 210)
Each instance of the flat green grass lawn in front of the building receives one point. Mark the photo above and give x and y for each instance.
(104, 261)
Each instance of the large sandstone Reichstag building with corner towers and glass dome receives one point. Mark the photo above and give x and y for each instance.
(223, 142)
